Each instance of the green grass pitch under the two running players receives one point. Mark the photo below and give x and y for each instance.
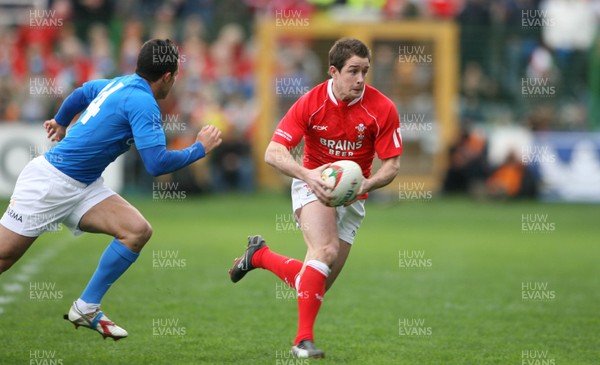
(446, 281)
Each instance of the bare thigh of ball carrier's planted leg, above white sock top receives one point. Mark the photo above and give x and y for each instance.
(319, 227)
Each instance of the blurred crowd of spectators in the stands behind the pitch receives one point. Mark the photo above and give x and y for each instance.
(501, 43)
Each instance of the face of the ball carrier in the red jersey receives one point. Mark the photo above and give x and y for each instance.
(349, 82)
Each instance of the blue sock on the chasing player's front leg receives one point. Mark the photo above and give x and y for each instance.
(115, 260)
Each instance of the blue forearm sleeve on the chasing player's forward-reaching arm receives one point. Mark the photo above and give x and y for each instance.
(159, 161)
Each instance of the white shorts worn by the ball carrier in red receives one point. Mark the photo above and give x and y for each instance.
(349, 218)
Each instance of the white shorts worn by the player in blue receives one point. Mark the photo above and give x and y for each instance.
(44, 197)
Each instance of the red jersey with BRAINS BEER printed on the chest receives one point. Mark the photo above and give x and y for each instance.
(334, 130)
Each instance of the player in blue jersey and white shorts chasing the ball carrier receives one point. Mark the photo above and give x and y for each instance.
(65, 184)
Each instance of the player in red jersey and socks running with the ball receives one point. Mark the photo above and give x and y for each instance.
(342, 118)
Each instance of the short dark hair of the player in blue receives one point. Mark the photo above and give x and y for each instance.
(157, 57)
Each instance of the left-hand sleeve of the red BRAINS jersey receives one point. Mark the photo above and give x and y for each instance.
(291, 128)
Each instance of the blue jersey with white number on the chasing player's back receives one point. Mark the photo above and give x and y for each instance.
(119, 112)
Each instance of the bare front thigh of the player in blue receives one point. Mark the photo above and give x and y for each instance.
(117, 217)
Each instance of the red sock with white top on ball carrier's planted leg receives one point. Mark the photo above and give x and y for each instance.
(311, 289)
